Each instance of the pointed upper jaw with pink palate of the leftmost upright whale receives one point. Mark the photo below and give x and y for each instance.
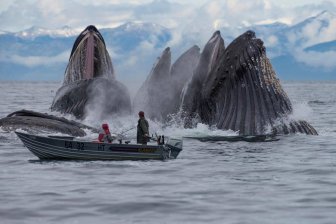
(89, 58)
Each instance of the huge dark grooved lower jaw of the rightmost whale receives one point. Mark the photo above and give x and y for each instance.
(243, 94)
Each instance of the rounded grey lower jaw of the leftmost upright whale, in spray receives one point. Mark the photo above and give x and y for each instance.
(106, 96)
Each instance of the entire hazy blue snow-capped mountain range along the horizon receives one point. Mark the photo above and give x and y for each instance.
(303, 51)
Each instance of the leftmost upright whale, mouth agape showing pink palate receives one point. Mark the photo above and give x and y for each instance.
(89, 81)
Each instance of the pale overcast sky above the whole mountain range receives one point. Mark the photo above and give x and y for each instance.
(16, 15)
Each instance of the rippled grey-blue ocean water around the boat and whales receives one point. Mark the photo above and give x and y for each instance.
(292, 180)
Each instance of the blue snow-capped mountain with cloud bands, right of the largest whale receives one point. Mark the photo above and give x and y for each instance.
(305, 50)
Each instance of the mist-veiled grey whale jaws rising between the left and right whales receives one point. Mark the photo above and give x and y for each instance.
(165, 83)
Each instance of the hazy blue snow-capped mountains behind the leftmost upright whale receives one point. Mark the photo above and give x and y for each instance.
(39, 53)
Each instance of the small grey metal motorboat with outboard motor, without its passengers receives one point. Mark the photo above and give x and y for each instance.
(68, 148)
